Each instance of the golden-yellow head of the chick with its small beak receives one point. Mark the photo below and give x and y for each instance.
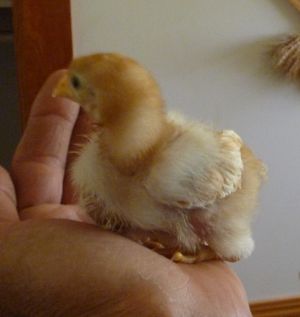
(108, 85)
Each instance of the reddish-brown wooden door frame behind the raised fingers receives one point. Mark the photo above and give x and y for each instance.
(43, 44)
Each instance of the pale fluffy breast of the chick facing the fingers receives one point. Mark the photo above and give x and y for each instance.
(113, 199)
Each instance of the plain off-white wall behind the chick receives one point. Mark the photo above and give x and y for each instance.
(208, 58)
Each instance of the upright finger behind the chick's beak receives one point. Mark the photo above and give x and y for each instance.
(39, 163)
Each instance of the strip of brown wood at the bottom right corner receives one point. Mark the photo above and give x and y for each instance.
(288, 307)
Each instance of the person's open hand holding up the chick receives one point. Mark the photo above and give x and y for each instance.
(55, 262)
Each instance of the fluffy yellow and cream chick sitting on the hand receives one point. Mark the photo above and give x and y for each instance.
(148, 170)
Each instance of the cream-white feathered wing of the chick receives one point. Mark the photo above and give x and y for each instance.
(196, 168)
